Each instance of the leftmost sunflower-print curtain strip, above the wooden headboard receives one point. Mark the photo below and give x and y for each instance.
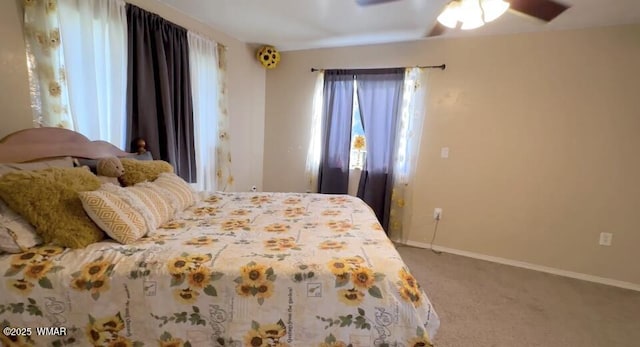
(45, 61)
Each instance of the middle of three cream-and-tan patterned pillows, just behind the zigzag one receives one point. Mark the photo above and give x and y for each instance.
(155, 208)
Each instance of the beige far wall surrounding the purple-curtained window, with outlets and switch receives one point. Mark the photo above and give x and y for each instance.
(543, 137)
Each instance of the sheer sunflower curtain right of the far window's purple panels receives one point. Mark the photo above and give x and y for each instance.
(410, 130)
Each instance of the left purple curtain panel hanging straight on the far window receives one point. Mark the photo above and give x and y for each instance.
(336, 132)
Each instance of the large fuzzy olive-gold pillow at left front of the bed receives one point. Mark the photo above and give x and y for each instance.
(48, 199)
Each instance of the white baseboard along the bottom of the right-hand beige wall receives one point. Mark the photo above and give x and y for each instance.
(525, 265)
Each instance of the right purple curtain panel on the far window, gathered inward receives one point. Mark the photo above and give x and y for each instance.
(380, 99)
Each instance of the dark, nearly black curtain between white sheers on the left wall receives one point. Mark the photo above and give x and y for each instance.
(159, 104)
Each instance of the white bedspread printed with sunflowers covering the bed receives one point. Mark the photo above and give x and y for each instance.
(236, 269)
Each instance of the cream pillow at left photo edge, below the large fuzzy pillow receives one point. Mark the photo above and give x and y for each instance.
(16, 234)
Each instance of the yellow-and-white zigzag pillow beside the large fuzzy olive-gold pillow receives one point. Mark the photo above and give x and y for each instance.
(114, 215)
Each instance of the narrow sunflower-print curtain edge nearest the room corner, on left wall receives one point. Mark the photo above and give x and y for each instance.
(224, 178)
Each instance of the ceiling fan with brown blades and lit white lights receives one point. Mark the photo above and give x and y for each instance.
(545, 10)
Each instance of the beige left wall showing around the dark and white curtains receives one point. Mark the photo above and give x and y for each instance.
(246, 83)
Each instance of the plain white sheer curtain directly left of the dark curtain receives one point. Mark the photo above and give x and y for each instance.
(94, 37)
